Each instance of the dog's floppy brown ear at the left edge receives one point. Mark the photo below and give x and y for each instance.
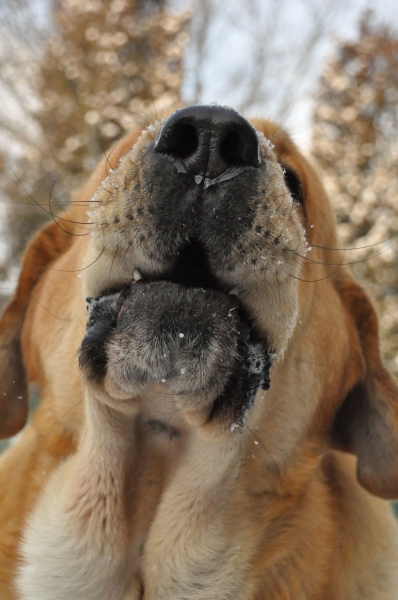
(47, 245)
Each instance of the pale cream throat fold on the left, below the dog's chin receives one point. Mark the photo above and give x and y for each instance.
(77, 543)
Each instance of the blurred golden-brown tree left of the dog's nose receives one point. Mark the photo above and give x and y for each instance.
(78, 83)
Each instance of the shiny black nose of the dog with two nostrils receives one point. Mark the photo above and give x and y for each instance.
(209, 140)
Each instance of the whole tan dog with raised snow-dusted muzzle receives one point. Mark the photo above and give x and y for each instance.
(215, 420)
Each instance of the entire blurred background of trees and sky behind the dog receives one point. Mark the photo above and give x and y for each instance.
(75, 75)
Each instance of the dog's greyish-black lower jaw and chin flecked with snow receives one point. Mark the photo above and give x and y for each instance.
(197, 342)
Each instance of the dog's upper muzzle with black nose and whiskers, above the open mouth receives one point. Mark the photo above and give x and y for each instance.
(202, 201)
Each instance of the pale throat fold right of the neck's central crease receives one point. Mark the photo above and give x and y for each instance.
(189, 553)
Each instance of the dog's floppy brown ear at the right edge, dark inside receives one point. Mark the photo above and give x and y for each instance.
(367, 422)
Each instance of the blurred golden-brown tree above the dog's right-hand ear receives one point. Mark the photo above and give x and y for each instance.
(356, 147)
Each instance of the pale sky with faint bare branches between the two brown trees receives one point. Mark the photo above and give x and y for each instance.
(268, 61)
